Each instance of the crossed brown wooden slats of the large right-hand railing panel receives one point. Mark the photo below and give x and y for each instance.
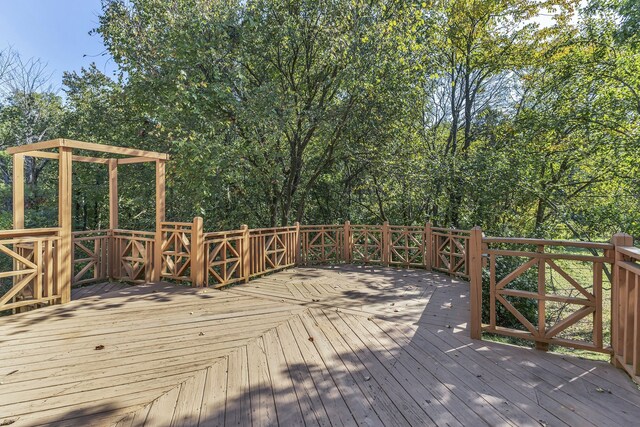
(580, 301)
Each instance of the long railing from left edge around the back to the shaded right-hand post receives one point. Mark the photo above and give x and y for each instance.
(219, 259)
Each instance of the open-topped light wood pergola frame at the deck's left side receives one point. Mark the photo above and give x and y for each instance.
(63, 151)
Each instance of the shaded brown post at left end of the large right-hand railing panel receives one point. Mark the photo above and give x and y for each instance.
(475, 276)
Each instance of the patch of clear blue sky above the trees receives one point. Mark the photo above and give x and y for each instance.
(56, 31)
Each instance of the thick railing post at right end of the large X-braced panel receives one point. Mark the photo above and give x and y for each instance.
(617, 282)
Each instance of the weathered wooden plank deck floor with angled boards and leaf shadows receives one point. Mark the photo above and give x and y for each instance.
(308, 346)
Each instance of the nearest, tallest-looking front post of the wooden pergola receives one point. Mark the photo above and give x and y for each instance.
(65, 255)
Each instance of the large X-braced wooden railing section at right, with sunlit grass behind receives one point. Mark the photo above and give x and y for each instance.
(546, 287)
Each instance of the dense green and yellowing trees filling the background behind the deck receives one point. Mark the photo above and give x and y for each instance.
(457, 112)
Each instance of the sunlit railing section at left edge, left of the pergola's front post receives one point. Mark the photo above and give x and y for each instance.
(29, 260)
